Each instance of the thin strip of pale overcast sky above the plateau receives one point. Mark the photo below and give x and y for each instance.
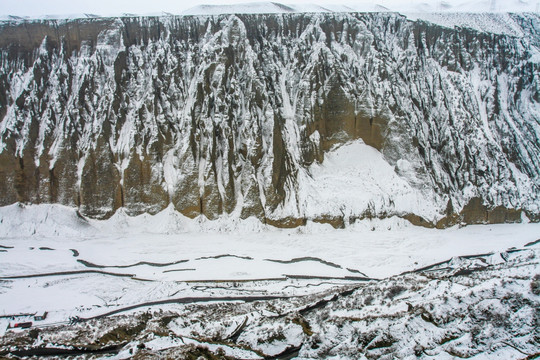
(117, 7)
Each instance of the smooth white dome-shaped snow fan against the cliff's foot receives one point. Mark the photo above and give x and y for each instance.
(357, 178)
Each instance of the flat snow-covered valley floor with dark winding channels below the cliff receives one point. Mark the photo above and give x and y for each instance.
(51, 260)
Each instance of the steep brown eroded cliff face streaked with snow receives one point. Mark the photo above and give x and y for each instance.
(236, 115)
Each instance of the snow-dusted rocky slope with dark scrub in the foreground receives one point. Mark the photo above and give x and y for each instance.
(483, 306)
